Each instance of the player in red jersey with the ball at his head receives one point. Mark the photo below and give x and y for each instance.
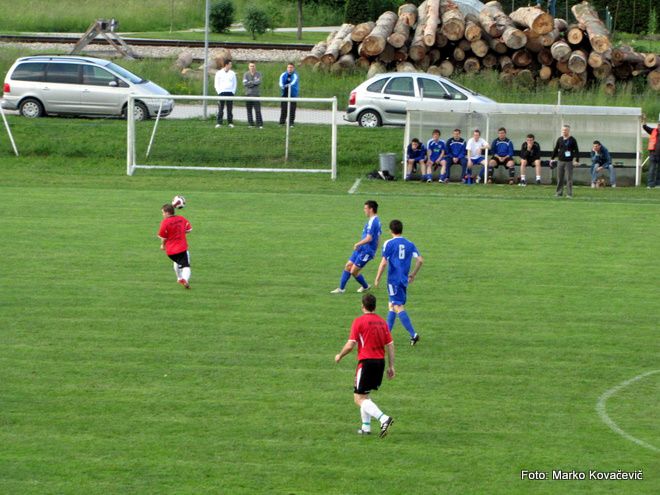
(172, 233)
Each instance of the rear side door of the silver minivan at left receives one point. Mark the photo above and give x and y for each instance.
(62, 89)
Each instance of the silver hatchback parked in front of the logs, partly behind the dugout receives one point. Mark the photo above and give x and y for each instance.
(382, 100)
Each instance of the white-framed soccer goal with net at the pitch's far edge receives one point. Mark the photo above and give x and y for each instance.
(187, 140)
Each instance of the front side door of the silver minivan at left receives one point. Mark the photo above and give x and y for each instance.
(102, 92)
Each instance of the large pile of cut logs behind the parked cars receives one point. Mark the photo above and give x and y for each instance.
(527, 46)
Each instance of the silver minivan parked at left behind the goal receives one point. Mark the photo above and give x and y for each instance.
(42, 85)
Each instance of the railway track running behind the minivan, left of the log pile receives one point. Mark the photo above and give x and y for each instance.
(158, 42)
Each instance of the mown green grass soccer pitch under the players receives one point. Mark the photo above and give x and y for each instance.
(116, 380)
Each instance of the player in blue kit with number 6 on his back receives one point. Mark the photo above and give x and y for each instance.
(398, 253)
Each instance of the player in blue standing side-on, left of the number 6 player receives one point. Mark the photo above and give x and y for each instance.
(363, 251)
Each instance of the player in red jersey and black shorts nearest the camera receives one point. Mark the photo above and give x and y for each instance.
(370, 334)
